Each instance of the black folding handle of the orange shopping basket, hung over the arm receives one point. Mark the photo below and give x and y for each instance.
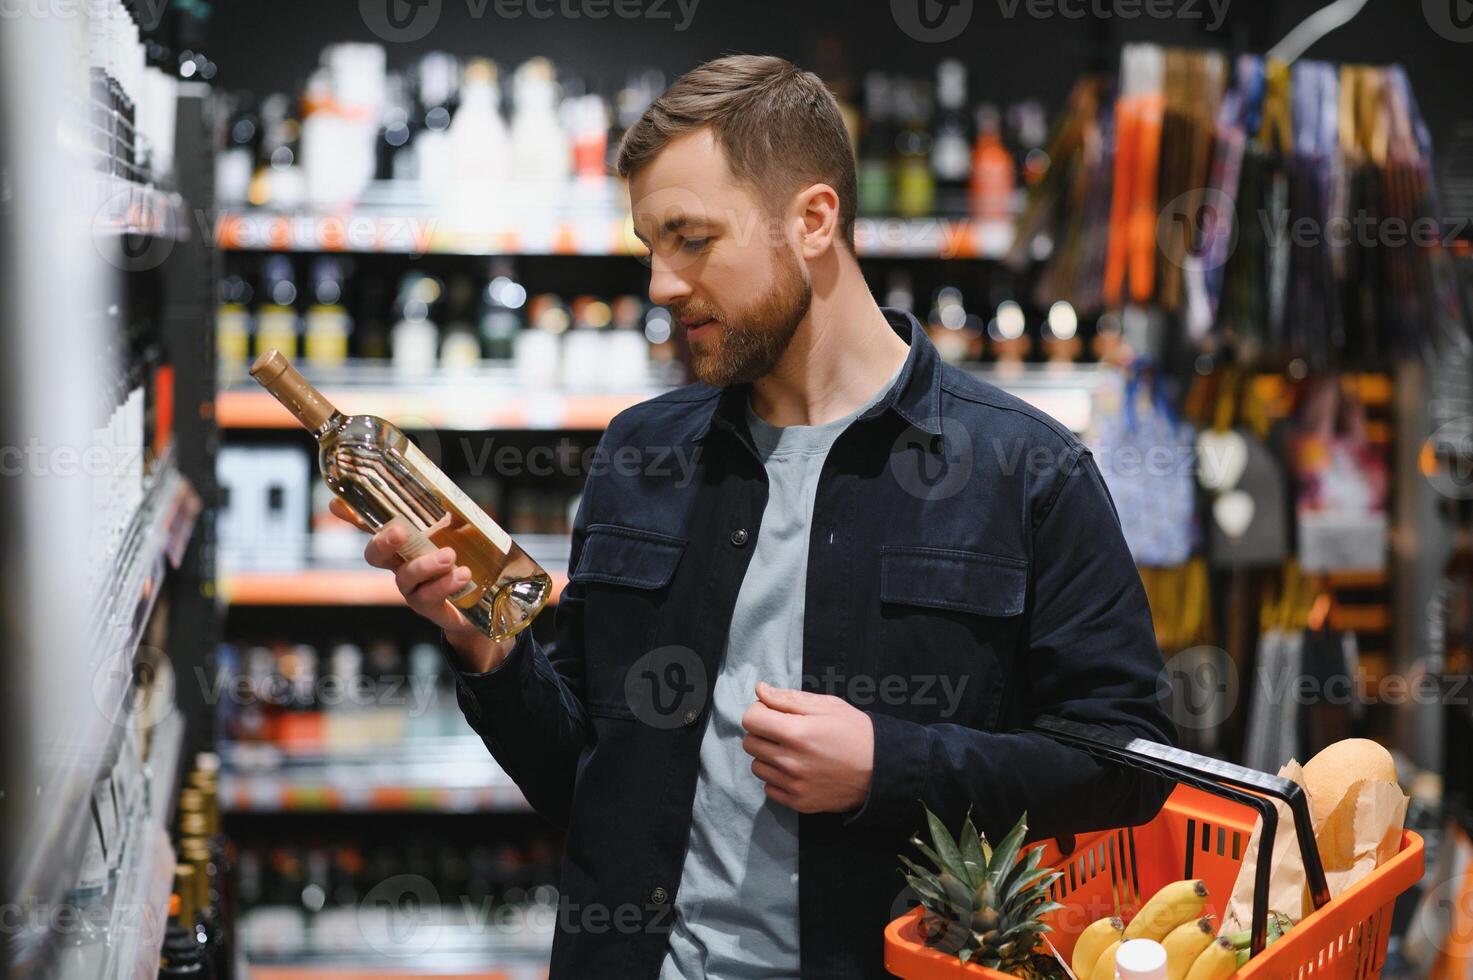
(1222, 779)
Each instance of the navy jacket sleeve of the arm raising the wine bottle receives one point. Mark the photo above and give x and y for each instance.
(530, 708)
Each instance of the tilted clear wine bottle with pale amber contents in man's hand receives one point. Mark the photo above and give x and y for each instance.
(387, 480)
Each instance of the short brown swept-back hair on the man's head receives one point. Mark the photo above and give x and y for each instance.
(777, 125)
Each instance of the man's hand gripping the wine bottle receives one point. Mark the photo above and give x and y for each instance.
(426, 584)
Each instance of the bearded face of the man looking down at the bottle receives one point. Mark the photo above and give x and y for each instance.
(720, 260)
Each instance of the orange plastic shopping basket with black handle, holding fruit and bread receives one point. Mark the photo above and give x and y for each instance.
(1201, 833)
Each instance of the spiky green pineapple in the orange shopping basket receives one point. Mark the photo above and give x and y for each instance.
(982, 903)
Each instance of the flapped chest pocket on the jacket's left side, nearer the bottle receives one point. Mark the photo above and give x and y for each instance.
(625, 575)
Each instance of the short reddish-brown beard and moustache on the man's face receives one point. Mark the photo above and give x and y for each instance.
(752, 343)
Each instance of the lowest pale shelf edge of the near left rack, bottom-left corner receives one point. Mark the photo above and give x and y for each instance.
(139, 911)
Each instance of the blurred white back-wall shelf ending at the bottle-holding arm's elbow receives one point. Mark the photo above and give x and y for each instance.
(415, 773)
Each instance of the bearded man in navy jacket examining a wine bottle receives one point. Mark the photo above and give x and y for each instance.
(883, 573)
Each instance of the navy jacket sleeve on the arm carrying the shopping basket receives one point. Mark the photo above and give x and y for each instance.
(1091, 657)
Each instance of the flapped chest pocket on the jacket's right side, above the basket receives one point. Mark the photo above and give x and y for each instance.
(951, 623)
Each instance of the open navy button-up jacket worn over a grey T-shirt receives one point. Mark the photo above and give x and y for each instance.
(967, 574)
